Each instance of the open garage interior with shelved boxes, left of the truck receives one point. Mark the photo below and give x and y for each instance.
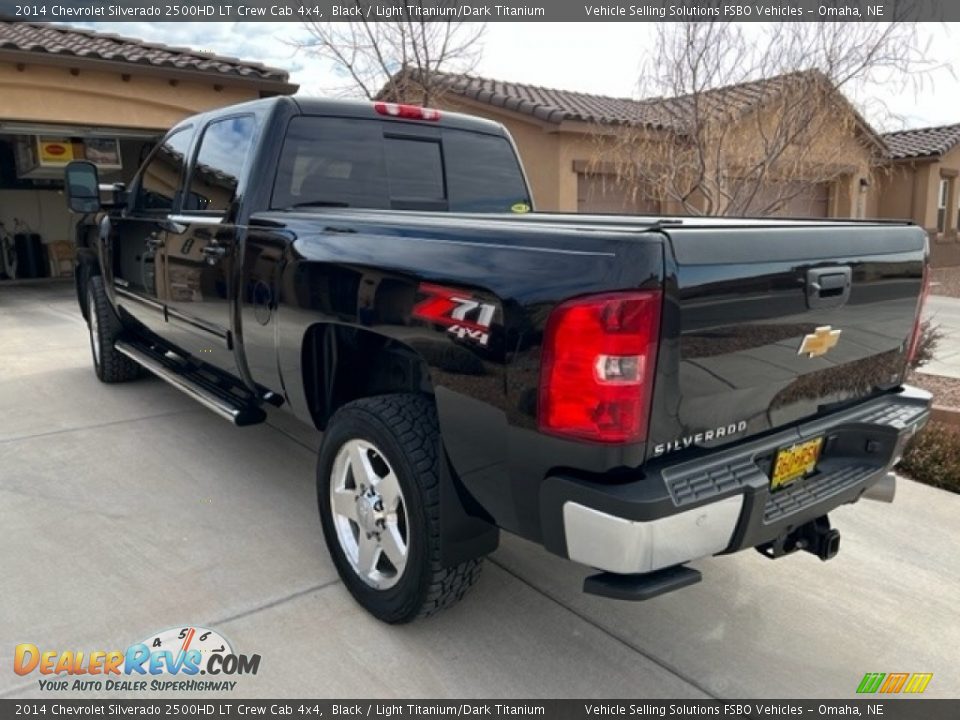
(36, 229)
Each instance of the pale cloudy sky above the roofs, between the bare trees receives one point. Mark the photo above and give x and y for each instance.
(602, 58)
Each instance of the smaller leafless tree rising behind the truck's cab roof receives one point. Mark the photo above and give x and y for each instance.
(403, 58)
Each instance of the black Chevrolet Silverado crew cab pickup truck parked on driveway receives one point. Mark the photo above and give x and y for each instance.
(632, 393)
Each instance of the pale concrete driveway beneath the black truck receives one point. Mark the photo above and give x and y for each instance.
(128, 509)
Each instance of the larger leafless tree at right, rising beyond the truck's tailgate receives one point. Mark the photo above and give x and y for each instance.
(748, 119)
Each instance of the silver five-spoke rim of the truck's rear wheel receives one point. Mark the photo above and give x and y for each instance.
(369, 513)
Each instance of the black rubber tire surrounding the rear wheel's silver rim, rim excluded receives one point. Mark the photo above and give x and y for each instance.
(403, 428)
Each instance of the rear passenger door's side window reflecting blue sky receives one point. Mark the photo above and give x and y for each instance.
(224, 148)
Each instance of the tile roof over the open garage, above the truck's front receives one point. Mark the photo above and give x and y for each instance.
(75, 42)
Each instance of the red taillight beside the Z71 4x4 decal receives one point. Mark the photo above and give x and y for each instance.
(596, 376)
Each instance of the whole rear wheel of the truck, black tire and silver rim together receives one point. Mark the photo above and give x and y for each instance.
(378, 488)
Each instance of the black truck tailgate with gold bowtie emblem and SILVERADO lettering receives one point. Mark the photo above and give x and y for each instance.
(765, 326)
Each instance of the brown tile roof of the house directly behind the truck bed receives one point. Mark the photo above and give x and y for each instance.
(555, 106)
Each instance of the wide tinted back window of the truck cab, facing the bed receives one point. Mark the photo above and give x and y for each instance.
(338, 162)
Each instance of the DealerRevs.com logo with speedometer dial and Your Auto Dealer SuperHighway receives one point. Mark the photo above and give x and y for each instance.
(169, 661)
